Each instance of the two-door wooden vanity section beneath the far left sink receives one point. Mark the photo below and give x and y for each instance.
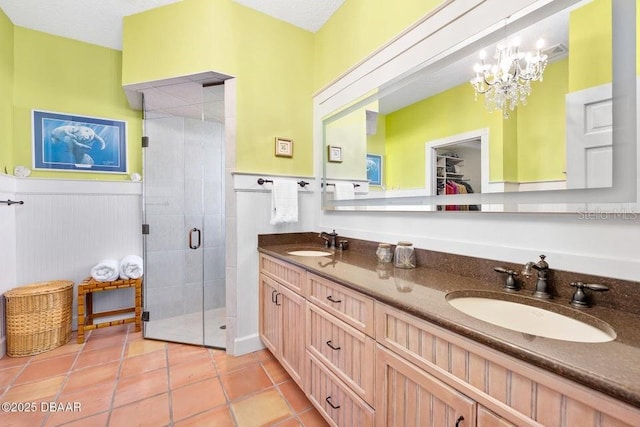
(282, 314)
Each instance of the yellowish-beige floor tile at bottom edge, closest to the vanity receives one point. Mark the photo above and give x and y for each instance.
(264, 408)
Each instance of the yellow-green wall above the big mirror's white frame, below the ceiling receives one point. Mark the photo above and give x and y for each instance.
(358, 29)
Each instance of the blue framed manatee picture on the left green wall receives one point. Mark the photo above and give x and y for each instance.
(68, 142)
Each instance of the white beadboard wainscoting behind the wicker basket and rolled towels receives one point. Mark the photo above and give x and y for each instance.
(64, 228)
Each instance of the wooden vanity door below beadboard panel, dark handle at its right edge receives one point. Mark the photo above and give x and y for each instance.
(408, 396)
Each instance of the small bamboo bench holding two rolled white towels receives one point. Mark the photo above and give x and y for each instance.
(86, 316)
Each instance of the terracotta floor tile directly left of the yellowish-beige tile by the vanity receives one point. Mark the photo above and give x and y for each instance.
(197, 397)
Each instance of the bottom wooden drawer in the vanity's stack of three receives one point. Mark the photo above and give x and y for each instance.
(336, 402)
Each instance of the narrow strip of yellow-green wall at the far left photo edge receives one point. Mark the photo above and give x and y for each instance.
(6, 89)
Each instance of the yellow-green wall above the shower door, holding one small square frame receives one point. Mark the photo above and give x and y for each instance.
(272, 60)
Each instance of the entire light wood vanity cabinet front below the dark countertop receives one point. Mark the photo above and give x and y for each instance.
(364, 363)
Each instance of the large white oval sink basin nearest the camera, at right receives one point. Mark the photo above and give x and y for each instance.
(531, 320)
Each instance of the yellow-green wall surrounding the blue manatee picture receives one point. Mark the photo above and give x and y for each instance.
(58, 74)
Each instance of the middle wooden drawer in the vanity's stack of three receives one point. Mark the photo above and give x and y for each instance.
(347, 352)
